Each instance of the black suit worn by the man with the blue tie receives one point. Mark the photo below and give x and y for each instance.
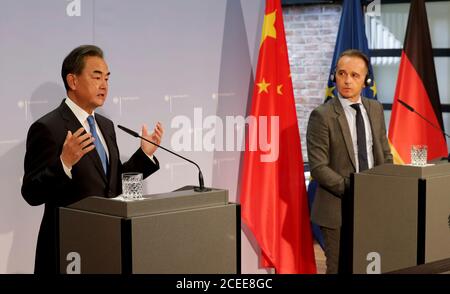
(45, 181)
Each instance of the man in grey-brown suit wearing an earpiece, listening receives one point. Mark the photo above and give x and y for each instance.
(345, 135)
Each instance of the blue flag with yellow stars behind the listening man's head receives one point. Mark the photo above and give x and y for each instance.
(351, 35)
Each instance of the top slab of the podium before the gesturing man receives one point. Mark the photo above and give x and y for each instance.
(184, 198)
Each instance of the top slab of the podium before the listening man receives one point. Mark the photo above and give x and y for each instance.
(430, 170)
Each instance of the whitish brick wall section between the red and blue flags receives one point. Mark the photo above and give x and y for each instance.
(311, 32)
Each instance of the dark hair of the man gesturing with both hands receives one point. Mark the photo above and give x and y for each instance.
(74, 62)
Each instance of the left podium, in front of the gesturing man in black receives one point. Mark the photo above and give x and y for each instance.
(181, 232)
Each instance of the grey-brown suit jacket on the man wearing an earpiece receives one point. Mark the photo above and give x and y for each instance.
(331, 155)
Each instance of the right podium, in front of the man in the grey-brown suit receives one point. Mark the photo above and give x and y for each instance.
(399, 216)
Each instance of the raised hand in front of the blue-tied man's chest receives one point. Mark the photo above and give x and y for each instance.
(76, 146)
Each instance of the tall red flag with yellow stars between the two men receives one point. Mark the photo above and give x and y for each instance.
(273, 193)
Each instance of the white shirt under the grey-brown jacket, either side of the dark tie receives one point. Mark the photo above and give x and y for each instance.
(350, 114)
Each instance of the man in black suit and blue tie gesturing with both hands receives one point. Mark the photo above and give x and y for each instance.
(72, 153)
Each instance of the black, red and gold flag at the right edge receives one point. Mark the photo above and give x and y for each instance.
(417, 86)
